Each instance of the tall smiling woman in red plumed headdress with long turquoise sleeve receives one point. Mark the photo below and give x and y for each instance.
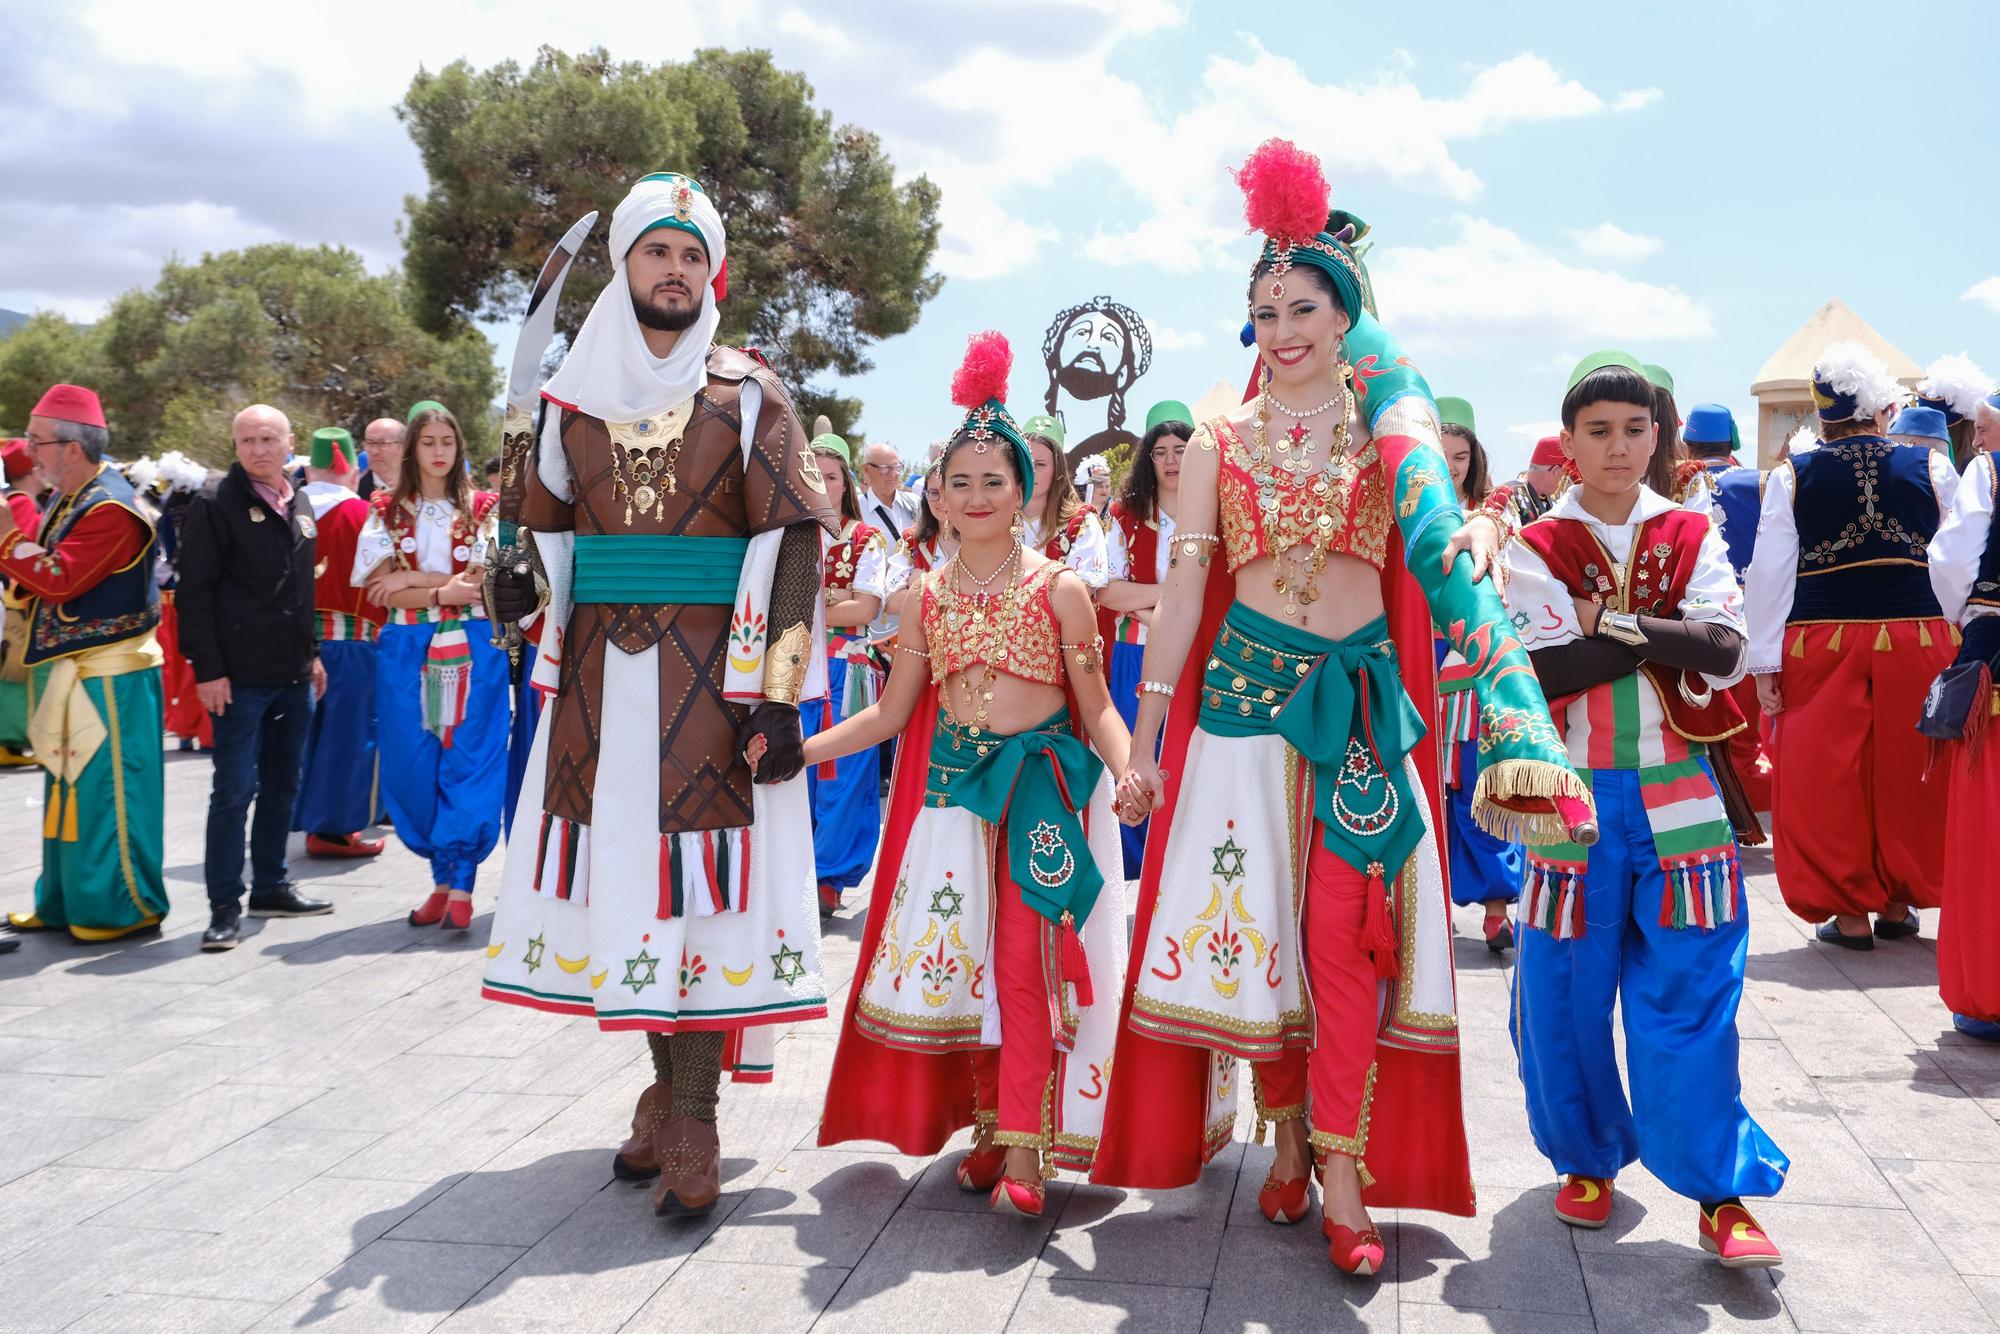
(1293, 913)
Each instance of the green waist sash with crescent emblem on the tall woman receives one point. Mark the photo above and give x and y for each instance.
(1337, 703)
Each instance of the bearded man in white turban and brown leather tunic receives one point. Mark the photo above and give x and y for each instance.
(677, 509)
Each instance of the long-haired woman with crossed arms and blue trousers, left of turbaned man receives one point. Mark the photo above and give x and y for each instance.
(441, 685)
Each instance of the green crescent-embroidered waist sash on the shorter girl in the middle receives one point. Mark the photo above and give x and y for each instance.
(1033, 783)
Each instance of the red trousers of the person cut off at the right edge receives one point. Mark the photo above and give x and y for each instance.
(1969, 929)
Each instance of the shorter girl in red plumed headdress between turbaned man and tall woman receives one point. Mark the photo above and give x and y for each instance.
(995, 945)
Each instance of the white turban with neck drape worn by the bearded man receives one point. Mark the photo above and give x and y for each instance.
(609, 373)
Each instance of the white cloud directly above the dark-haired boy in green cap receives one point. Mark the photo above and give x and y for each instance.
(1491, 285)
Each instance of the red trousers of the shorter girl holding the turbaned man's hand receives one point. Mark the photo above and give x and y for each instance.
(1013, 1081)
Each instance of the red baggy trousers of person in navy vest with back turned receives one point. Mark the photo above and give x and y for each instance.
(1855, 827)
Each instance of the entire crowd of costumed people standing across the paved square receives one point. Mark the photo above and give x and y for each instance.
(1307, 675)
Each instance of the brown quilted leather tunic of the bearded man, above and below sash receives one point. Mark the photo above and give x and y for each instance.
(679, 473)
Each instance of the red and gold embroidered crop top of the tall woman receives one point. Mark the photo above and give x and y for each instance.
(1267, 509)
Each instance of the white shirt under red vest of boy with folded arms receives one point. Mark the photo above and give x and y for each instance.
(1545, 609)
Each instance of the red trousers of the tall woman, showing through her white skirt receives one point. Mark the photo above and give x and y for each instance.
(1337, 1077)
